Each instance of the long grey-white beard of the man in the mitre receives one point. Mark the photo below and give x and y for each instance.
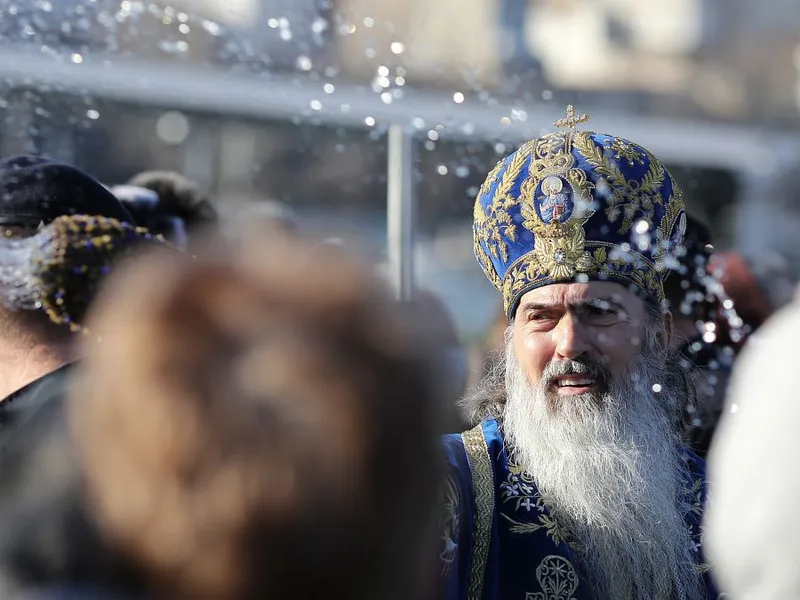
(609, 468)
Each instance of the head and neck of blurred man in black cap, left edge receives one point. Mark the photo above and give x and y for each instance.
(35, 352)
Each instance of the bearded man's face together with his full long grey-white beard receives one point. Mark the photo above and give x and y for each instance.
(591, 399)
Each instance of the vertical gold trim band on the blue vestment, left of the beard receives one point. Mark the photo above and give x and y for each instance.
(480, 467)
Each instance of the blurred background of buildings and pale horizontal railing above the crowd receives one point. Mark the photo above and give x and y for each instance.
(291, 100)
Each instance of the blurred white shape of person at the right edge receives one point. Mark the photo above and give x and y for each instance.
(750, 462)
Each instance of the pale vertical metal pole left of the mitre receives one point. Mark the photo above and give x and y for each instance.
(400, 211)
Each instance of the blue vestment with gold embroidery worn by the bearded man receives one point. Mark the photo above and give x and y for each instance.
(500, 541)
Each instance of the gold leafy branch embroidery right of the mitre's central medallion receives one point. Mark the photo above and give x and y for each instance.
(626, 198)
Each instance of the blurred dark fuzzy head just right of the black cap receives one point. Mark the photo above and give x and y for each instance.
(180, 201)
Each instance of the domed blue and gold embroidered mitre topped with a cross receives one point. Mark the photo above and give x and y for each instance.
(577, 206)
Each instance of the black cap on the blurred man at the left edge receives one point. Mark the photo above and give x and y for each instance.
(36, 190)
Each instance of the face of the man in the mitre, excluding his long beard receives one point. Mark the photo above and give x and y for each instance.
(600, 324)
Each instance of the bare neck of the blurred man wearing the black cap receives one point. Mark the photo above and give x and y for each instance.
(21, 366)
